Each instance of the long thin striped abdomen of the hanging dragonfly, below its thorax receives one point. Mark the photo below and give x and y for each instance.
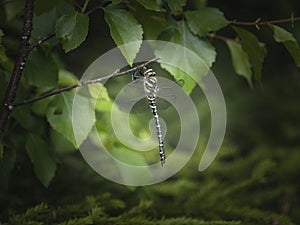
(152, 104)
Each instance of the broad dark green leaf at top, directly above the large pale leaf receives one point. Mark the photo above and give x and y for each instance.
(205, 20)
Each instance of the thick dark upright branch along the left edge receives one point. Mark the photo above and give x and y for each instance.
(24, 50)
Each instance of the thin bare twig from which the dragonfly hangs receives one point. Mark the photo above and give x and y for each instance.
(84, 83)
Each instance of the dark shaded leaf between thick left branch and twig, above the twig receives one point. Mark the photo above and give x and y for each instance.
(36, 74)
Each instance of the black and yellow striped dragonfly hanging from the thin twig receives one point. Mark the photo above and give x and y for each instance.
(151, 89)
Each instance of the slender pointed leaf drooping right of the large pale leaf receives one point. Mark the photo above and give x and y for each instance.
(240, 60)
